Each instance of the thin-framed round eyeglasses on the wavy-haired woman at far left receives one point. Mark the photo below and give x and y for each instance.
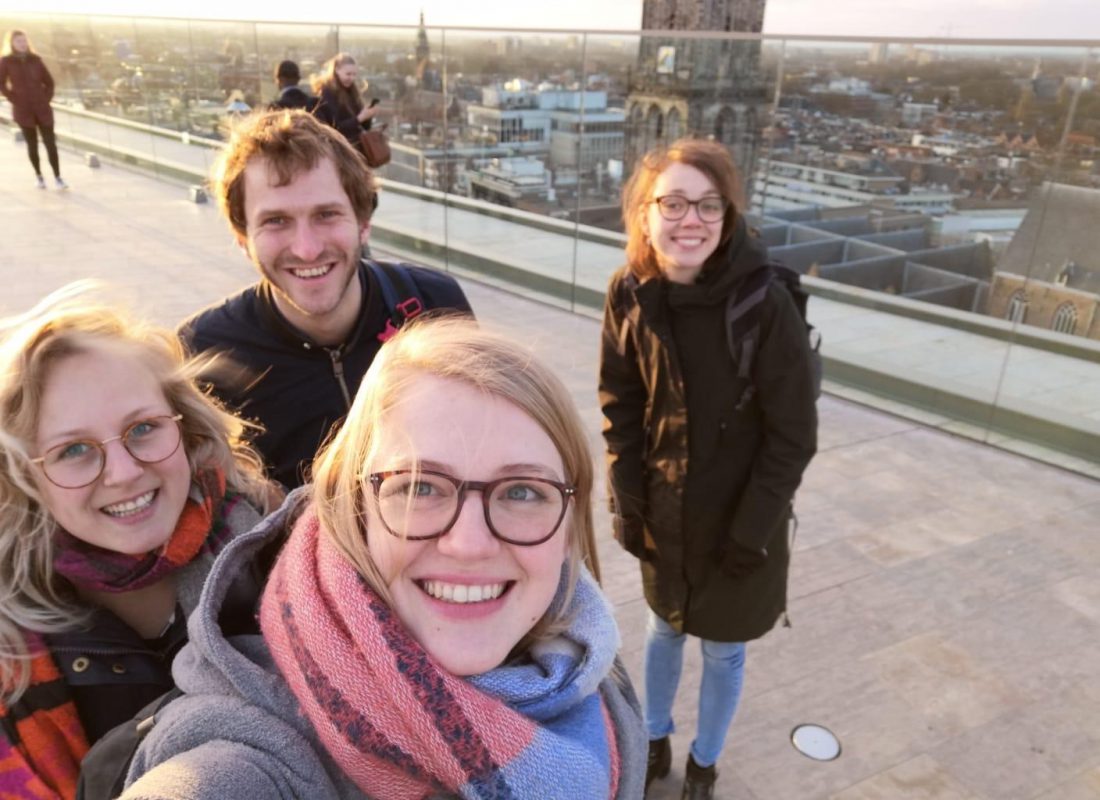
(74, 465)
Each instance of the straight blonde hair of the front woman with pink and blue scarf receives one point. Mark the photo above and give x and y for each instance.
(457, 349)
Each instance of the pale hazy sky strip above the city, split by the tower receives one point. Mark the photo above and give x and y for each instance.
(986, 19)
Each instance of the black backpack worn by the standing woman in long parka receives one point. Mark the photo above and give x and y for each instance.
(743, 323)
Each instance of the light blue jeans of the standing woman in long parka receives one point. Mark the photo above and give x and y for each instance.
(719, 694)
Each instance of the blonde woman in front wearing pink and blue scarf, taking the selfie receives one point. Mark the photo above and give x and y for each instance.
(433, 627)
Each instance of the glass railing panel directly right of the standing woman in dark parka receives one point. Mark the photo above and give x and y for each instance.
(879, 184)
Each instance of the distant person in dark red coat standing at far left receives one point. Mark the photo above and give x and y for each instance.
(29, 87)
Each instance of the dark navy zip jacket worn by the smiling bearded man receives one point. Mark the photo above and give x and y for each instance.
(294, 388)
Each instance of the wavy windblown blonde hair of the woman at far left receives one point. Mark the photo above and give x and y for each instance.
(71, 322)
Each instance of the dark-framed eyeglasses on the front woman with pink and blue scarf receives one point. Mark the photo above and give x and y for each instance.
(423, 505)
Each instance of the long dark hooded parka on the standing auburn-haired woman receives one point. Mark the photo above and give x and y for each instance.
(694, 480)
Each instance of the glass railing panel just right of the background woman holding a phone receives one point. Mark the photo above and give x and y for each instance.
(403, 68)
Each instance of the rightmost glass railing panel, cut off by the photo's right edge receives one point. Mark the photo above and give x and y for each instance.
(1047, 281)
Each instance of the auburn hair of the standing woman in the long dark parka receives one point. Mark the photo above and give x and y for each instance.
(711, 159)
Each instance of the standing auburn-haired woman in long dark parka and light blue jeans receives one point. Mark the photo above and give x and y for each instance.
(701, 485)
